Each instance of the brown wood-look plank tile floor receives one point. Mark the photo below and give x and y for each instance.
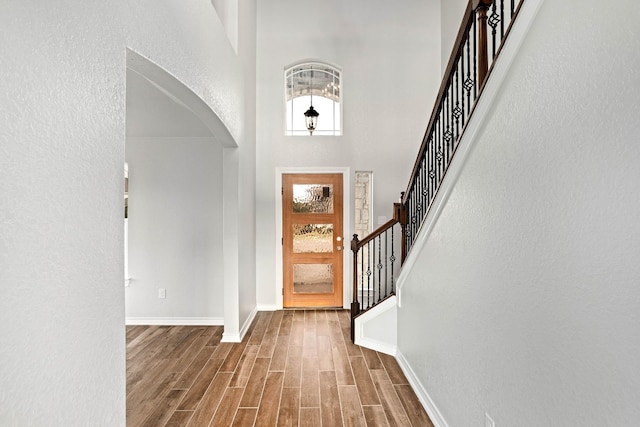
(294, 368)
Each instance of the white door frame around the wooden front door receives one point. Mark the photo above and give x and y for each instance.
(346, 225)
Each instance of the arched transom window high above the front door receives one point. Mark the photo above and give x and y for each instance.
(318, 85)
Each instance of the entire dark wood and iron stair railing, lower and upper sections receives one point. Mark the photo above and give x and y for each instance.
(485, 26)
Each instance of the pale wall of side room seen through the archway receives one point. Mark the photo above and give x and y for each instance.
(175, 223)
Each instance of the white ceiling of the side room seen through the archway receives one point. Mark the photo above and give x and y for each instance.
(153, 113)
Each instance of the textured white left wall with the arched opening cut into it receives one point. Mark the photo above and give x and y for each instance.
(62, 143)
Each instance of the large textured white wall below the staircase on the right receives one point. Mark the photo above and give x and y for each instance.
(524, 301)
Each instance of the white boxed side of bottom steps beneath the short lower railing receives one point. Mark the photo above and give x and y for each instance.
(377, 328)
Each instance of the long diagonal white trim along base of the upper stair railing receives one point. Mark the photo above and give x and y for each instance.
(476, 124)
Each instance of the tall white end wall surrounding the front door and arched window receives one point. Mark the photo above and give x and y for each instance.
(389, 53)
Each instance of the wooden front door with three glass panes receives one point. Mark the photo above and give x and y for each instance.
(312, 240)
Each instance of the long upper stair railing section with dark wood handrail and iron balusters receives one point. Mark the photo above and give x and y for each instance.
(484, 28)
